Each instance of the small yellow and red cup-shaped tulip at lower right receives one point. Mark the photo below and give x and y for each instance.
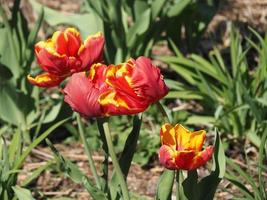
(182, 149)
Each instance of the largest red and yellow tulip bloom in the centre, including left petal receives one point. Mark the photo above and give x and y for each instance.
(122, 89)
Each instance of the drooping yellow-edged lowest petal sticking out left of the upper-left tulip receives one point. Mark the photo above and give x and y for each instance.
(45, 80)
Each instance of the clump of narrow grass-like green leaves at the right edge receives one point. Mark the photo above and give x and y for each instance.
(232, 97)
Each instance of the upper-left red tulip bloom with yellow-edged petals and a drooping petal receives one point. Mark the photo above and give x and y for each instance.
(65, 54)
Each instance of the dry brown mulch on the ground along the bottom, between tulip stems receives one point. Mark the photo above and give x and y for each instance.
(53, 184)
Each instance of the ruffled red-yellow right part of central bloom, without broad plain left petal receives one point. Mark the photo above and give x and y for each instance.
(135, 85)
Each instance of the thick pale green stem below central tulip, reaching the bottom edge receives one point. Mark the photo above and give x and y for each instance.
(115, 162)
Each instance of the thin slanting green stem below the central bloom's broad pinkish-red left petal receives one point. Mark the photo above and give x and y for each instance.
(88, 151)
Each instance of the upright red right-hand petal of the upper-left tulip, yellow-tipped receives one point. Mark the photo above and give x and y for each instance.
(92, 50)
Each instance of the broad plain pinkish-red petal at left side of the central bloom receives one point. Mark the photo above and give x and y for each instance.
(82, 96)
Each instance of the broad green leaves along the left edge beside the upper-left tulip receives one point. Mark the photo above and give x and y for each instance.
(21, 106)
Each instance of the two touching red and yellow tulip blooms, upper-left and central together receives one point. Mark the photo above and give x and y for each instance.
(95, 89)
